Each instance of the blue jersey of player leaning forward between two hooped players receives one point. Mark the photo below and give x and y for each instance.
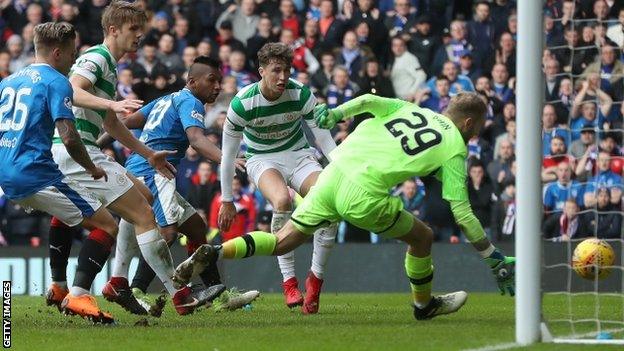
(167, 119)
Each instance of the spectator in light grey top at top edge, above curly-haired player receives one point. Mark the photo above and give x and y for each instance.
(242, 18)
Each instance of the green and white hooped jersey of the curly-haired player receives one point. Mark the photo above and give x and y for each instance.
(271, 126)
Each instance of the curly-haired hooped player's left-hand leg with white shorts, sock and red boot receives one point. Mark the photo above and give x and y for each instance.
(270, 180)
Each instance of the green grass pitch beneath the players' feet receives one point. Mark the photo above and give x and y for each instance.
(346, 322)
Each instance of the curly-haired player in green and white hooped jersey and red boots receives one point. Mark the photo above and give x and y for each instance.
(268, 115)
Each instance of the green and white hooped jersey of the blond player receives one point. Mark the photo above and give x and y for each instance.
(98, 65)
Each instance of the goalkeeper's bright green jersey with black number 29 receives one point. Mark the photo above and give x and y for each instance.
(403, 140)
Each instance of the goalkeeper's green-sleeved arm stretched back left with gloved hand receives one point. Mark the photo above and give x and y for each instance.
(368, 103)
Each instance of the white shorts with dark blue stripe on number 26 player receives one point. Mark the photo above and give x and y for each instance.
(66, 200)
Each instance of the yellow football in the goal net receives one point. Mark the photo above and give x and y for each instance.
(593, 257)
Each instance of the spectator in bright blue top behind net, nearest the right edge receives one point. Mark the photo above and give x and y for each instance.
(604, 178)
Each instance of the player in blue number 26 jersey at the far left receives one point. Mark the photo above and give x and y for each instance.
(34, 101)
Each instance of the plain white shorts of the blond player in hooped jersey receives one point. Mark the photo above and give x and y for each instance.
(107, 191)
